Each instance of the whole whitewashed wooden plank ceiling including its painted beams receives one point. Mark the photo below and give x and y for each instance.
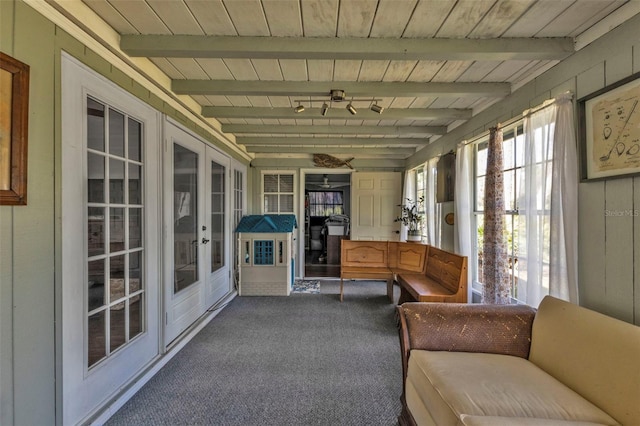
(430, 64)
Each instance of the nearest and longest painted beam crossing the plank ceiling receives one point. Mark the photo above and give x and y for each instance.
(496, 49)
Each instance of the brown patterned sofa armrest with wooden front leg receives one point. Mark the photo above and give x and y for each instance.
(461, 327)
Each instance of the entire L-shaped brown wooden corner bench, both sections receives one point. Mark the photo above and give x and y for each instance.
(424, 273)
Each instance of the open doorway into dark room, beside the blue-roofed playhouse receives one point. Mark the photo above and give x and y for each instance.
(327, 209)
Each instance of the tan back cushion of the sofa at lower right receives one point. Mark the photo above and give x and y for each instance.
(596, 355)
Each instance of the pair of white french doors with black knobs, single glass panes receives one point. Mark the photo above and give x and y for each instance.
(198, 243)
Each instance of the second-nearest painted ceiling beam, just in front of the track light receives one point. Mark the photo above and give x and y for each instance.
(323, 88)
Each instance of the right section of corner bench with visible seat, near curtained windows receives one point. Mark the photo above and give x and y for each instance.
(444, 279)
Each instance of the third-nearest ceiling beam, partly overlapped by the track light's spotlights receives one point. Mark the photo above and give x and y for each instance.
(338, 112)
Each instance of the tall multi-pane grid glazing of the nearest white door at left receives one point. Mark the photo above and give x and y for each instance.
(115, 253)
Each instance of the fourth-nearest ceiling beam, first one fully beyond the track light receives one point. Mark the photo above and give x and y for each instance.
(335, 130)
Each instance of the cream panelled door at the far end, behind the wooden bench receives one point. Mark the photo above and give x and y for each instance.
(374, 205)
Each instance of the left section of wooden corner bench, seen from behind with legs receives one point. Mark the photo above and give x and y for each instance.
(380, 260)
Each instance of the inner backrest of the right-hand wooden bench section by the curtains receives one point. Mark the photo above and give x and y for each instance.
(448, 269)
